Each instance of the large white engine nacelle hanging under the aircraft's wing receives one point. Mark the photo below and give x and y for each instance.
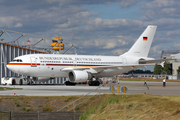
(79, 76)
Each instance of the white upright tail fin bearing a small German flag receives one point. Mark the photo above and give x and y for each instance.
(142, 46)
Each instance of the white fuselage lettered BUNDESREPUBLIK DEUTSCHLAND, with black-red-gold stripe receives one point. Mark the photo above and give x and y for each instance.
(51, 65)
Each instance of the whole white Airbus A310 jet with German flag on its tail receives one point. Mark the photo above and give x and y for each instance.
(80, 68)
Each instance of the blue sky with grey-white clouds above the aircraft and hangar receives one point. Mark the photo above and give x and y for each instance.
(97, 27)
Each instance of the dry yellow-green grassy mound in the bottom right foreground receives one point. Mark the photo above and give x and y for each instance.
(134, 107)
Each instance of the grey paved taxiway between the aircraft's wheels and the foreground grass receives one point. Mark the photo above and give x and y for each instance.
(134, 87)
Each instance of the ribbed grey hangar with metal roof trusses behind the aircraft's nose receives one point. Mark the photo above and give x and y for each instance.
(13, 44)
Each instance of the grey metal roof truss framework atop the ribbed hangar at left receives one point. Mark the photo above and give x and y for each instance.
(15, 38)
